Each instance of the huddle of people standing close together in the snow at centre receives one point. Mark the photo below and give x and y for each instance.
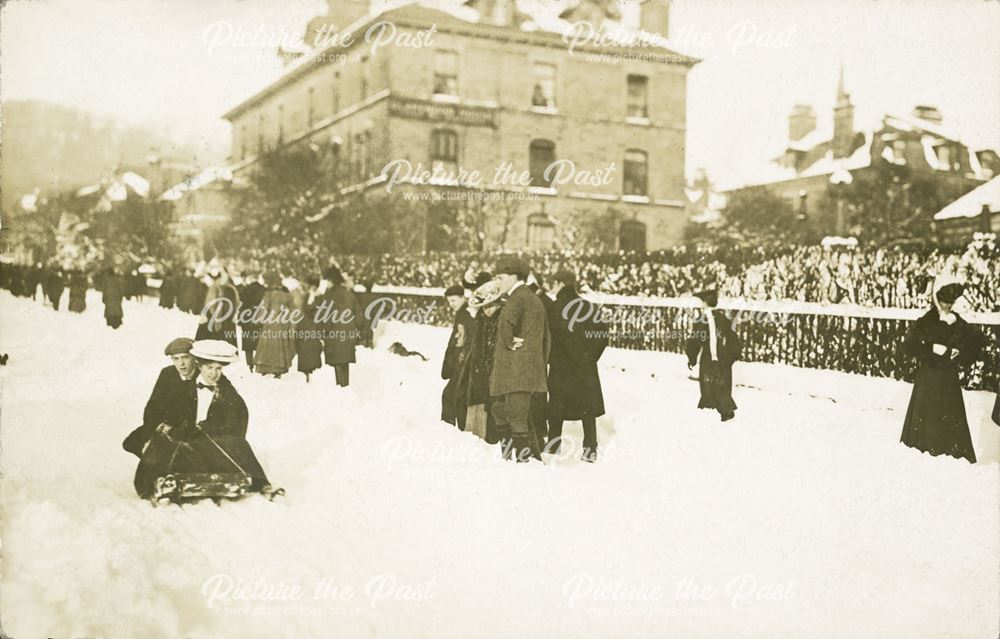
(515, 368)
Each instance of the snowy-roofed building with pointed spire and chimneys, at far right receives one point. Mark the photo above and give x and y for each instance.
(817, 154)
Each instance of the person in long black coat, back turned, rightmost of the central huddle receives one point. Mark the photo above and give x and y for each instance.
(574, 383)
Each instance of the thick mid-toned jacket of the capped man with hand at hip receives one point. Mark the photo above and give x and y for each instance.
(521, 370)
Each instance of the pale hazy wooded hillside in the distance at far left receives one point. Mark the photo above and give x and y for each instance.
(55, 148)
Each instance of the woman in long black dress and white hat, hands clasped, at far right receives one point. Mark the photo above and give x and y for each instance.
(942, 342)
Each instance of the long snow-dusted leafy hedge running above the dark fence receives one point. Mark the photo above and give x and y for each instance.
(872, 277)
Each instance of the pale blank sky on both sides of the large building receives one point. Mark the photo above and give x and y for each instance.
(178, 65)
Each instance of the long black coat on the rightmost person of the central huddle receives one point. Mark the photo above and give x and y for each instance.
(574, 383)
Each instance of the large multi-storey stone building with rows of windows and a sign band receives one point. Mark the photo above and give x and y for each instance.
(489, 87)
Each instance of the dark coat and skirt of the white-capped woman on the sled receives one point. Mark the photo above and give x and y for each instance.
(226, 424)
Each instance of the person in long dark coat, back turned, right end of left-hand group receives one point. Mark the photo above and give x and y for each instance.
(342, 328)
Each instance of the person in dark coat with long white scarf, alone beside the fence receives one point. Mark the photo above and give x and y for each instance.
(718, 347)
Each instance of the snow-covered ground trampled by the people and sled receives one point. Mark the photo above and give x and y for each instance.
(804, 517)
